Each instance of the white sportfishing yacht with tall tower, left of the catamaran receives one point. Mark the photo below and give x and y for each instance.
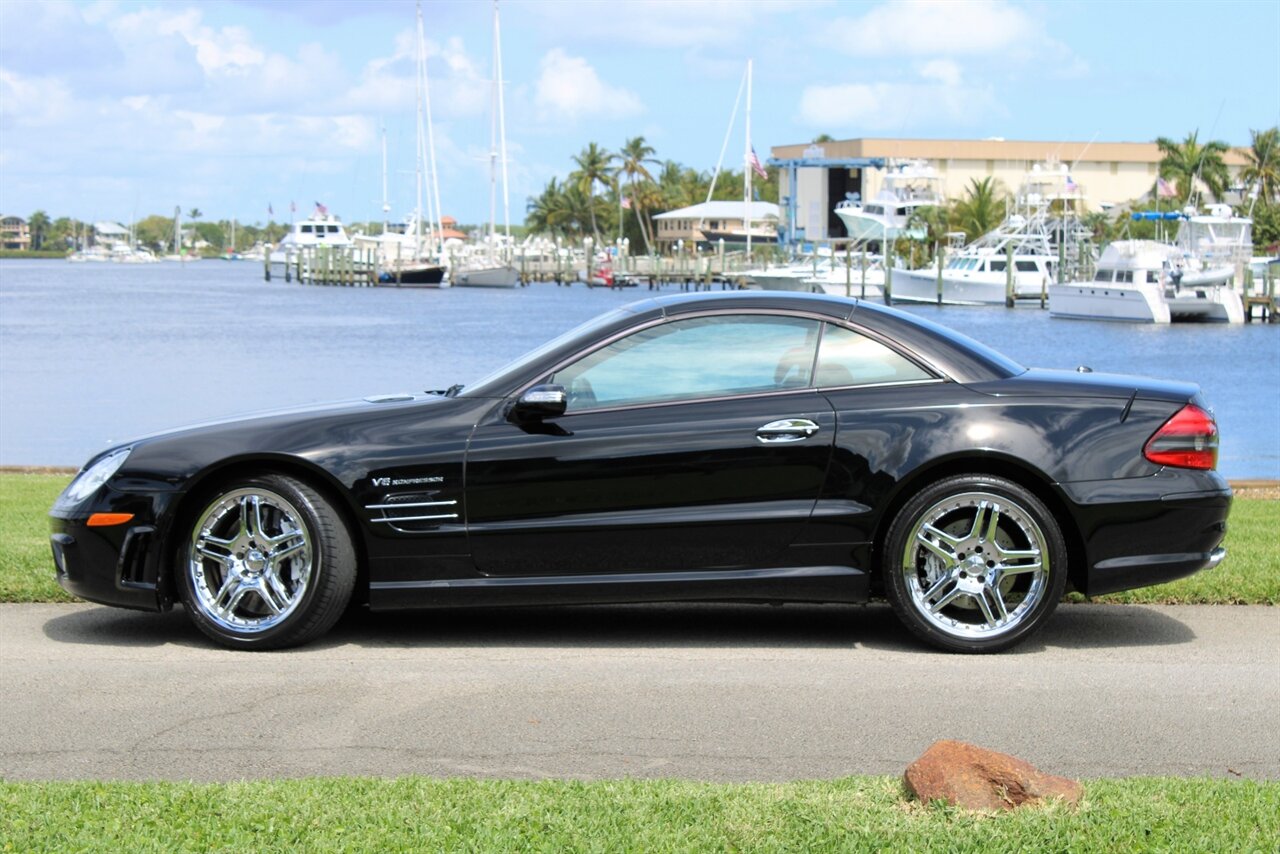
(1045, 213)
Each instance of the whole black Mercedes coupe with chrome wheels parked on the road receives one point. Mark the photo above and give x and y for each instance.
(748, 446)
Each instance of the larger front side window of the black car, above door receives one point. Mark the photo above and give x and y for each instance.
(692, 359)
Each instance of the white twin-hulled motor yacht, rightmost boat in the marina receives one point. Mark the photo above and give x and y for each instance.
(1151, 282)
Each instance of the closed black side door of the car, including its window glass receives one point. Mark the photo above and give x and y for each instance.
(691, 444)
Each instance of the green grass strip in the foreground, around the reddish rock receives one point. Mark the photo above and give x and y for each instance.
(420, 815)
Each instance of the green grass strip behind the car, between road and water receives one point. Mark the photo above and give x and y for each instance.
(1251, 574)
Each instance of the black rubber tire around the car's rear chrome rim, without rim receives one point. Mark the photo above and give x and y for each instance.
(895, 545)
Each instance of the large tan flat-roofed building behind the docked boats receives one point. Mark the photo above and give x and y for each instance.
(1110, 173)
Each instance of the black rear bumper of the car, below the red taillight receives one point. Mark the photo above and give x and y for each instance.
(1150, 531)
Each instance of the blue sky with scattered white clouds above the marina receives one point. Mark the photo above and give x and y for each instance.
(115, 109)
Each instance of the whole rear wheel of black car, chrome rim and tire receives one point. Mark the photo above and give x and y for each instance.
(975, 564)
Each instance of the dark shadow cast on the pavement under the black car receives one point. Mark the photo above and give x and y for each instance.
(729, 625)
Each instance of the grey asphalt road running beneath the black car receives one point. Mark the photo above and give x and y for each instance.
(702, 692)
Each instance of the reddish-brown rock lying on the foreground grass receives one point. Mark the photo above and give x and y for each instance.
(968, 777)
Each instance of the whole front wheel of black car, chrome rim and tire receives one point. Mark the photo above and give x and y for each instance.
(266, 564)
